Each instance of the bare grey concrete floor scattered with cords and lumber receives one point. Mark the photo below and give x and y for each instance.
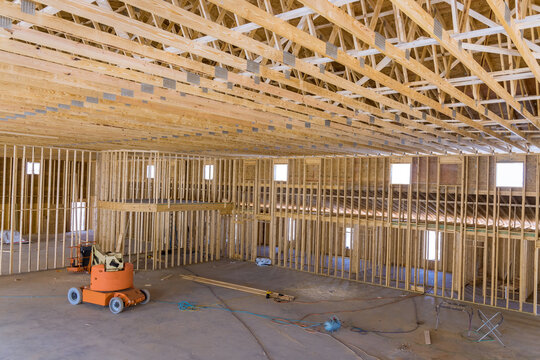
(36, 321)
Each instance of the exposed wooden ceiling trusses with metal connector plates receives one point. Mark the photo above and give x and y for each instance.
(272, 77)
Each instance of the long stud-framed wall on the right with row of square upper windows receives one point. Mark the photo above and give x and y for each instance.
(341, 216)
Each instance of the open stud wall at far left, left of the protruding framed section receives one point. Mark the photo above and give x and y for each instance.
(46, 206)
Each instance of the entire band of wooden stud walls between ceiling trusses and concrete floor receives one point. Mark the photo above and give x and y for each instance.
(451, 232)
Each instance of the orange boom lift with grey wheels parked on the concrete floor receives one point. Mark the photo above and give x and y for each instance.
(111, 284)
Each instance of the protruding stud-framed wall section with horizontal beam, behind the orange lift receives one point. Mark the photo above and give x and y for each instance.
(163, 209)
